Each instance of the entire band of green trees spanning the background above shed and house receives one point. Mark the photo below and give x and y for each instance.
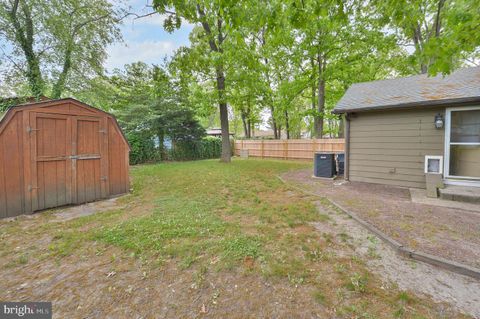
(250, 65)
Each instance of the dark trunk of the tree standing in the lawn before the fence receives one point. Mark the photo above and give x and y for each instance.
(222, 104)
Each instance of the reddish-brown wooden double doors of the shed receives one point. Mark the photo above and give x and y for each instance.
(67, 160)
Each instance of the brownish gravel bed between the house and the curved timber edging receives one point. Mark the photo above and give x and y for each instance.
(446, 232)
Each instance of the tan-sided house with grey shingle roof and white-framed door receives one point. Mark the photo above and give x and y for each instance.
(392, 125)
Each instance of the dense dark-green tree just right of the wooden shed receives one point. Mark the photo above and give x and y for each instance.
(150, 105)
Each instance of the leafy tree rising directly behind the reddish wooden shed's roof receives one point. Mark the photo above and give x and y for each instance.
(56, 41)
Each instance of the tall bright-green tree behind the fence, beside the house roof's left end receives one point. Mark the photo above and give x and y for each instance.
(331, 44)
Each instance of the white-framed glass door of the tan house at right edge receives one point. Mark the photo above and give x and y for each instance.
(462, 145)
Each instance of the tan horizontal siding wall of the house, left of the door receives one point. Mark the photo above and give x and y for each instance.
(389, 147)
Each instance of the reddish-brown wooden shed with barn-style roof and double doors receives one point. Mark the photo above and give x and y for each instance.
(59, 152)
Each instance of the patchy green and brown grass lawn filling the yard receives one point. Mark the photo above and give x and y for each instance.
(199, 239)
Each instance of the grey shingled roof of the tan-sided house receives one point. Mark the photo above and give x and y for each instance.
(463, 85)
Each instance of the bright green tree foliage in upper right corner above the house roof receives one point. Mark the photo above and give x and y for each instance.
(443, 33)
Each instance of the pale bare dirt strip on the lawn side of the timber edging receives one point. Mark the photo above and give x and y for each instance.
(442, 286)
